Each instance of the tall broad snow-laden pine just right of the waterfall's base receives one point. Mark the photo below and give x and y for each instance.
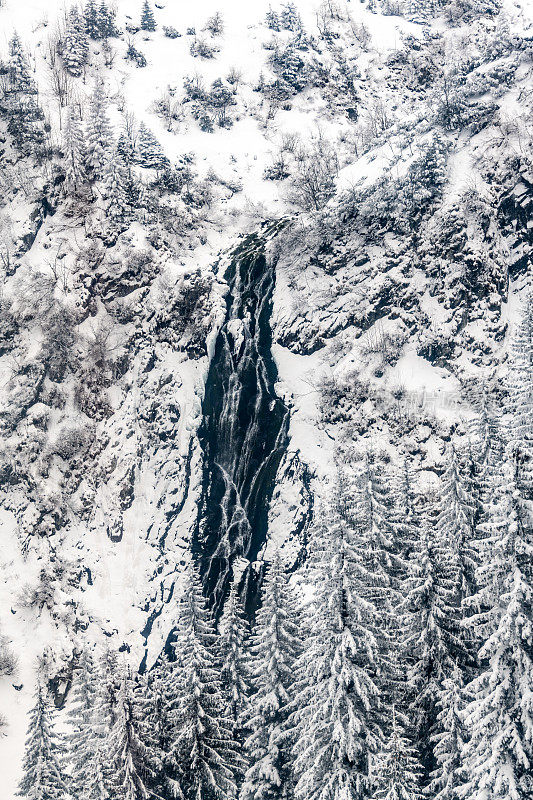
(336, 724)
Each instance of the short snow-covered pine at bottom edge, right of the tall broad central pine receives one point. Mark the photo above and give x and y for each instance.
(396, 768)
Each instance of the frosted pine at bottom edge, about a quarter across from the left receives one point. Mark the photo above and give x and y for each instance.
(133, 764)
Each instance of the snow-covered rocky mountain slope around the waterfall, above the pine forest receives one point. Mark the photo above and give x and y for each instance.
(390, 144)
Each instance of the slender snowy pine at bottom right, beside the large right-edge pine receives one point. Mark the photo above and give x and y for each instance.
(449, 741)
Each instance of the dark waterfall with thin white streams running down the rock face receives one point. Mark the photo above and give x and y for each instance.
(244, 428)
